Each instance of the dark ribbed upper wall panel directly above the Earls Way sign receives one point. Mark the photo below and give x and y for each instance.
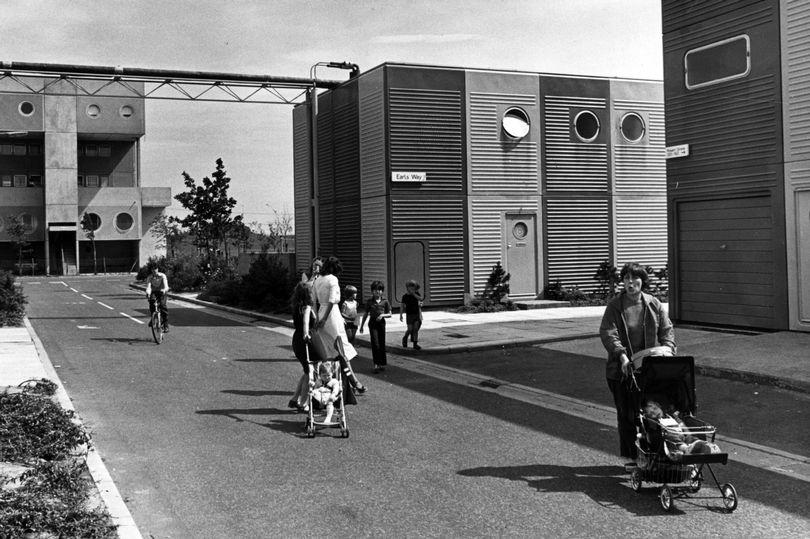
(426, 135)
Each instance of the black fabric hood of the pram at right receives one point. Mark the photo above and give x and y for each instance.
(670, 381)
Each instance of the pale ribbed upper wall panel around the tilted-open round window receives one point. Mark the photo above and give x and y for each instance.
(495, 164)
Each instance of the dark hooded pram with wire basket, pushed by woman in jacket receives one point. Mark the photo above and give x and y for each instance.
(664, 456)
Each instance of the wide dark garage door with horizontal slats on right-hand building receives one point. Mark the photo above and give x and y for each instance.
(726, 262)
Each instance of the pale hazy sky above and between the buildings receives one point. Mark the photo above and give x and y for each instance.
(613, 38)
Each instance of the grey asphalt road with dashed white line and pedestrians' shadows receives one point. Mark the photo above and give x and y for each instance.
(196, 434)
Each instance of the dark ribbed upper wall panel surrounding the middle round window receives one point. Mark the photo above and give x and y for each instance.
(569, 165)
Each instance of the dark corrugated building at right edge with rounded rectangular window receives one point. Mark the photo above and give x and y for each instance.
(737, 90)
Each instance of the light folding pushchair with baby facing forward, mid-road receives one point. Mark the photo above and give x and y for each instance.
(327, 398)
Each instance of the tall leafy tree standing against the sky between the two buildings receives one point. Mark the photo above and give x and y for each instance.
(209, 208)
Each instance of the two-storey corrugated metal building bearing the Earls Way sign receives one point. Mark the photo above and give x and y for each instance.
(438, 173)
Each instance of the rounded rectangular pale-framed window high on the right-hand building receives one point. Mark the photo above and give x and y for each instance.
(718, 62)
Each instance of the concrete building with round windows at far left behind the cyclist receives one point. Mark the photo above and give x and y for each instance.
(62, 156)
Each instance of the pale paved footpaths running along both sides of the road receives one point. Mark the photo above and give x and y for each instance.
(779, 358)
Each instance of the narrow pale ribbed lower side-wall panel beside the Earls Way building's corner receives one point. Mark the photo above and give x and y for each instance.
(374, 234)
